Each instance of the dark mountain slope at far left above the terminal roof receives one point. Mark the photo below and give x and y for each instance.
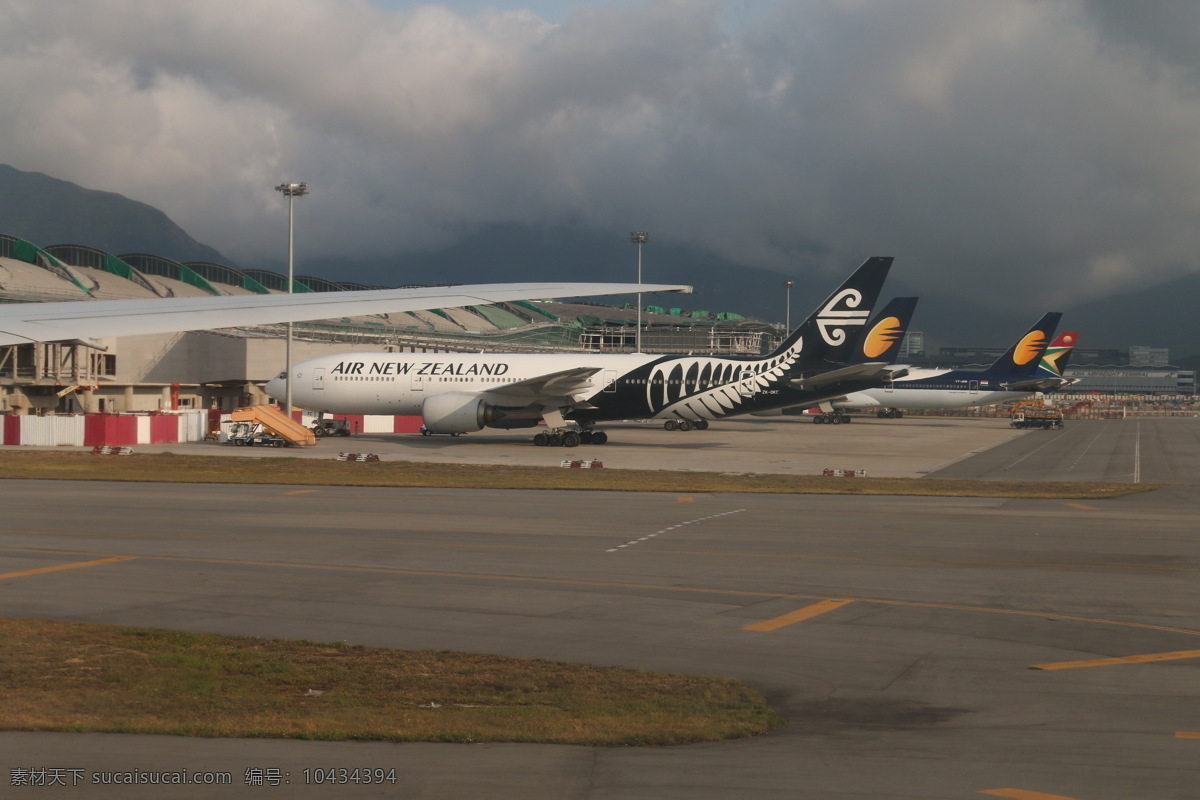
(50, 212)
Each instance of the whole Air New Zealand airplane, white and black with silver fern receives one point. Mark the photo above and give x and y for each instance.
(469, 393)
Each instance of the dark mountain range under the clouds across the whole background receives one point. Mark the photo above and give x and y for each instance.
(50, 212)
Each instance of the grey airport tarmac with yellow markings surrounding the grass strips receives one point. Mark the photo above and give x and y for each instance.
(920, 648)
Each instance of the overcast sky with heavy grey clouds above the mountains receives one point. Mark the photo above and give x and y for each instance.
(1012, 148)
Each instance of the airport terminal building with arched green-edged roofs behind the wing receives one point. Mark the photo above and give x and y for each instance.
(227, 369)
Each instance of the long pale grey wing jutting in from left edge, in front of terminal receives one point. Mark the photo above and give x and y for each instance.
(89, 320)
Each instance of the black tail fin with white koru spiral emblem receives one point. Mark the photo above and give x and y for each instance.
(833, 332)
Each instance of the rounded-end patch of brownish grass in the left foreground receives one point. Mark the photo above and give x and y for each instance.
(61, 676)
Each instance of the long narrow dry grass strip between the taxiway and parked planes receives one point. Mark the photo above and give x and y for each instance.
(310, 472)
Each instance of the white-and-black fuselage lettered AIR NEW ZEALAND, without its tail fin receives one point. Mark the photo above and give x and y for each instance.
(518, 389)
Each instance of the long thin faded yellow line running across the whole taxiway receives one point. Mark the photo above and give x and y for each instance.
(615, 585)
